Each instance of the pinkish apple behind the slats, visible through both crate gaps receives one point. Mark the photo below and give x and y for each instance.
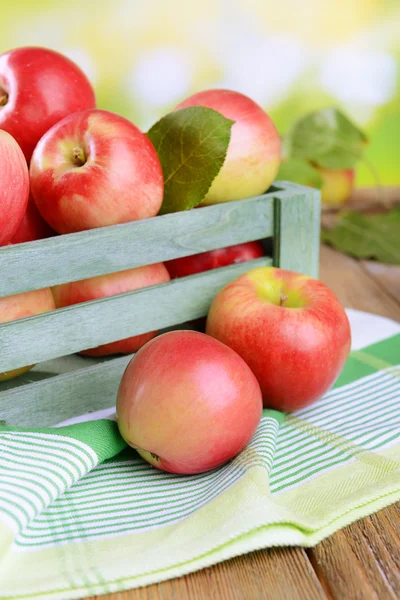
(110, 285)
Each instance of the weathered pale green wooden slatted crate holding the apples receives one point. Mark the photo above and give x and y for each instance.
(64, 385)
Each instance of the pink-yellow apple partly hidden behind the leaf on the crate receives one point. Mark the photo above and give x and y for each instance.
(253, 156)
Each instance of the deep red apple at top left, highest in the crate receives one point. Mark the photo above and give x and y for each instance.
(39, 87)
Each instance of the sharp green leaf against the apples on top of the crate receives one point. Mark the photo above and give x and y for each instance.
(191, 144)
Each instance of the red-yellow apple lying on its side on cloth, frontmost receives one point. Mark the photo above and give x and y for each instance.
(188, 403)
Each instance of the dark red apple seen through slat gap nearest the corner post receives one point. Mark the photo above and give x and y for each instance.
(214, 259)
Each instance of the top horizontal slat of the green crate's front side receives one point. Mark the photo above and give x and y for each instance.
(77, 256)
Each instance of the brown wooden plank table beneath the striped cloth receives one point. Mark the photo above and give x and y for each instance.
(359, 562)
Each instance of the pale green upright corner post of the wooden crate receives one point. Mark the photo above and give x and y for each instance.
(296, 232)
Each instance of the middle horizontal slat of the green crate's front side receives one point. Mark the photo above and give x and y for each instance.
(90, 324)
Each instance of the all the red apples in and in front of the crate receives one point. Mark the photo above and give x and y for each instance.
(188, 401)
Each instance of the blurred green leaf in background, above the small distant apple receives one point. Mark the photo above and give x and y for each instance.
(326, 137)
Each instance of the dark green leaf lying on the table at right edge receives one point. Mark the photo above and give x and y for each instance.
(367, 236)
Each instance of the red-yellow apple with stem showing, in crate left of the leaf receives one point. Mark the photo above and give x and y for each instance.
(94, 169)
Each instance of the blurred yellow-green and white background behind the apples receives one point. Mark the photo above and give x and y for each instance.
(292, 56)
